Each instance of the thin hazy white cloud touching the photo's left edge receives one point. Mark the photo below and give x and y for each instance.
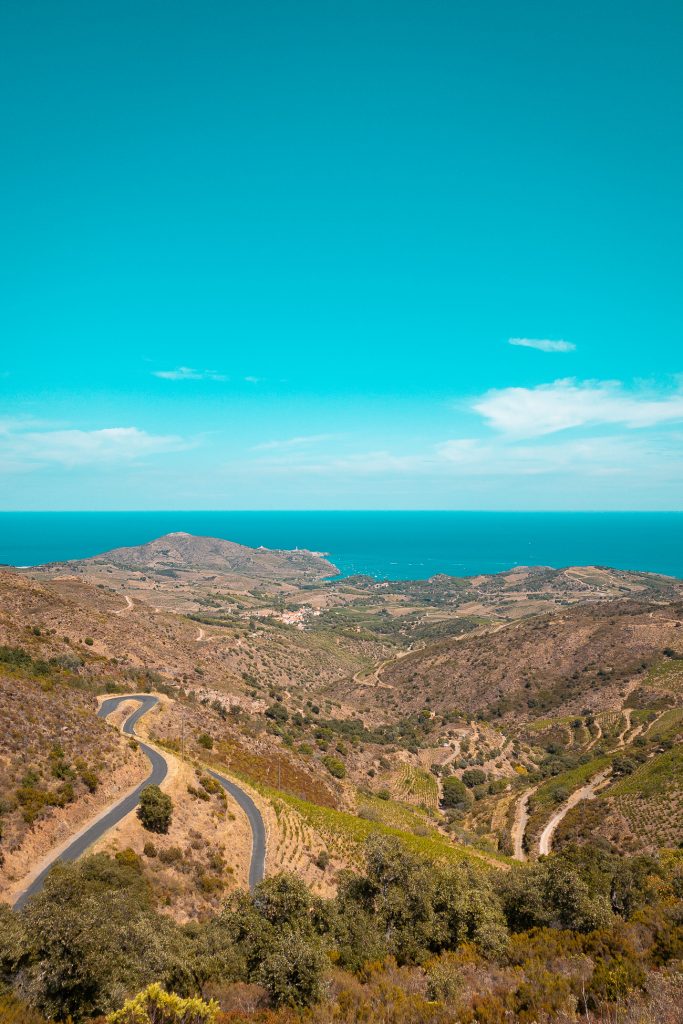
(77, 448)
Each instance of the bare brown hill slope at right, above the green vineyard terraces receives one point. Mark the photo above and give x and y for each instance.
(583, 657)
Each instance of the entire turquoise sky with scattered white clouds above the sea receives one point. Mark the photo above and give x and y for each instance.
(326, 255)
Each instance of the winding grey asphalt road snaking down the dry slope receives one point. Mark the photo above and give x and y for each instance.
(91, 834)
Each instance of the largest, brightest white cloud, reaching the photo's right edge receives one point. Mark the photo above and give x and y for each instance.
(547, 409)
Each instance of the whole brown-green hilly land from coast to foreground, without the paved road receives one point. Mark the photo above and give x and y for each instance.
(444, 734)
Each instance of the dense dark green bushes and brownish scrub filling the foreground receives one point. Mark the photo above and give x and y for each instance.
(408, 941)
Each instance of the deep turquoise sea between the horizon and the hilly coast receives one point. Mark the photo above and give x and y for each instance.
(386, 545)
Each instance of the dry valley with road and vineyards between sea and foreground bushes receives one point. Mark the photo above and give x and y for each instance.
(295, 718)
